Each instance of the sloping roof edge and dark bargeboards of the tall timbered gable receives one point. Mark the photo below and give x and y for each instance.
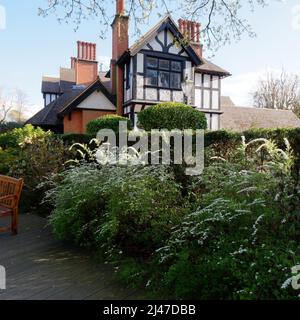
(166, 23)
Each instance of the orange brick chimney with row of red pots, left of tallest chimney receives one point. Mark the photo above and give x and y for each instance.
(85, 65)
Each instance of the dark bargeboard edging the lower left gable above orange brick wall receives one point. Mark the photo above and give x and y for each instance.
(95, 86)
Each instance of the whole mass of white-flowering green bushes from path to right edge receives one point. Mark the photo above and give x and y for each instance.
(231, 233)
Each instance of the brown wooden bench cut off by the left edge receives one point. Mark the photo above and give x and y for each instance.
(10, 192)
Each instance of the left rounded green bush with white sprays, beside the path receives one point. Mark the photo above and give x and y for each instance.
(129, 208)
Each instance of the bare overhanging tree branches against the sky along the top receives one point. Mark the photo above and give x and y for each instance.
(222, 20)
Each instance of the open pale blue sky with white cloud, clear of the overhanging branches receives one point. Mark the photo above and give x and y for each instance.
(32, 46)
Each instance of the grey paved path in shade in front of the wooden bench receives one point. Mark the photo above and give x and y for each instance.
(39, 267)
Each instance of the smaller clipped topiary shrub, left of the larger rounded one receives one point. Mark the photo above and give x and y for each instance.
(106, 122)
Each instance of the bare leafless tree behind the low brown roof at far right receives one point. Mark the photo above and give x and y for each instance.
(278, 92)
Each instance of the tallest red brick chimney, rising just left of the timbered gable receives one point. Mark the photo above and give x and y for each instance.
(120, 44)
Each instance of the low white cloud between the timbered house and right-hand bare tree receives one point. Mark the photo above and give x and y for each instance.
(239, 87)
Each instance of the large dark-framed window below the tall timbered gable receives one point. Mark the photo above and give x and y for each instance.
(163, 73)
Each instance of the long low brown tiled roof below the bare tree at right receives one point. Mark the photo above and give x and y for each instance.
(244, 118)
